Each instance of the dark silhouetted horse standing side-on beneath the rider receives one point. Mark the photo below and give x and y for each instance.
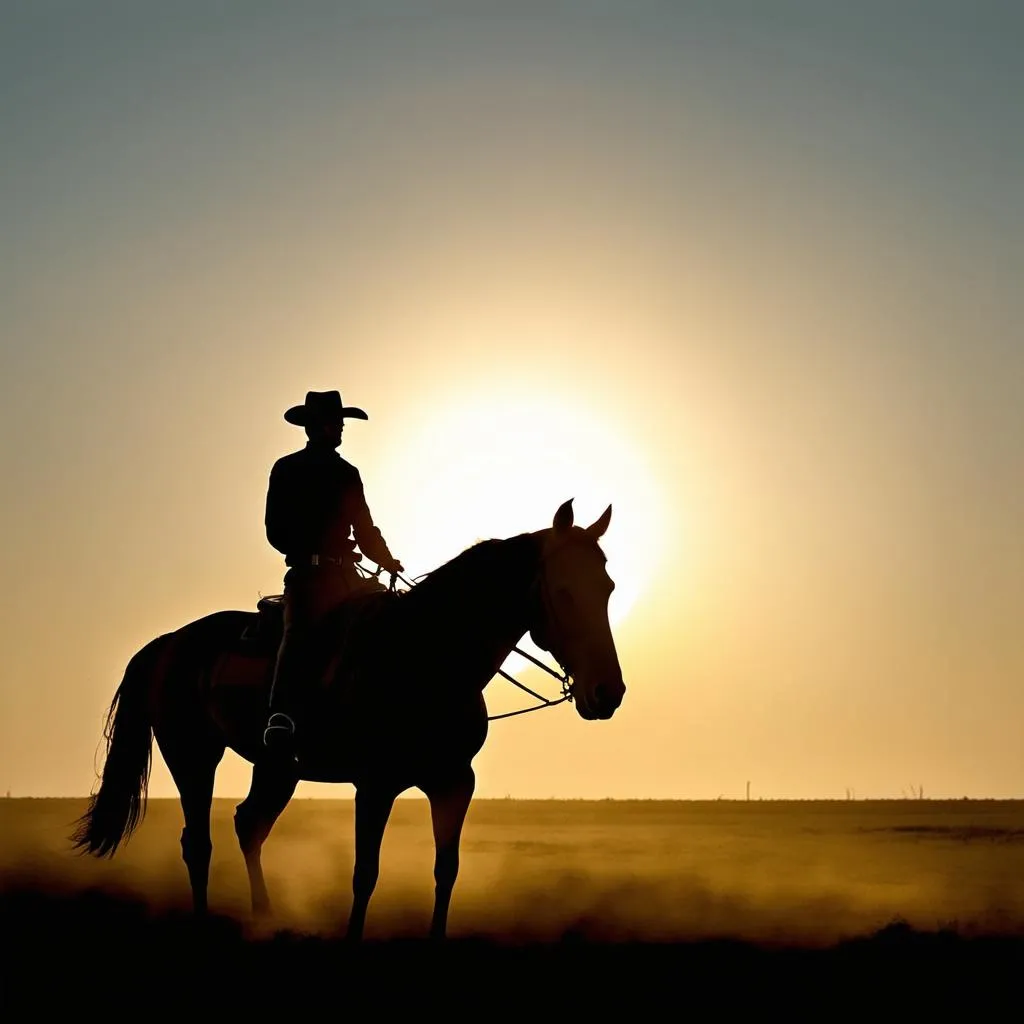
(398, 704)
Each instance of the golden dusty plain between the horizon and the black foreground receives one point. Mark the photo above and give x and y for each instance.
(790, 874)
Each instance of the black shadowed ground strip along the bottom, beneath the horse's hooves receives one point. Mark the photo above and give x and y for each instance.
(113, 959)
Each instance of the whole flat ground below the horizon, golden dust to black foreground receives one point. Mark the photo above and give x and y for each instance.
(792, 895)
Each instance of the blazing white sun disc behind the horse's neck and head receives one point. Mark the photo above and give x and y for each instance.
(501, 464)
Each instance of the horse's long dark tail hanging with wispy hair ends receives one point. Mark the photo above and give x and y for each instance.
(118, 808)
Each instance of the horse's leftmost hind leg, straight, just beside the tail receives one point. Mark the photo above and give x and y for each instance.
(194, 769)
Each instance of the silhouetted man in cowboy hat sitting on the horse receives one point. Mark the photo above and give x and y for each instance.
(316, 516)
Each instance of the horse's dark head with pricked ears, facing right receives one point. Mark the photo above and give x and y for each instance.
(572, 614)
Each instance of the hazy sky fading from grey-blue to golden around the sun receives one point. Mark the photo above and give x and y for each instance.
(749, 272)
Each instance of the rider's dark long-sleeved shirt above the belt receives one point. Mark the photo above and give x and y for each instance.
(316, 505)
